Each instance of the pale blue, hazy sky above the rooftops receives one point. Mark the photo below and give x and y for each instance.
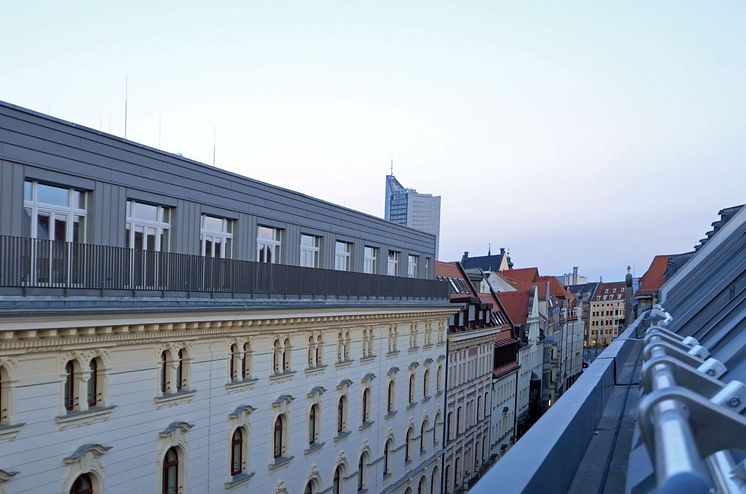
(590, 134)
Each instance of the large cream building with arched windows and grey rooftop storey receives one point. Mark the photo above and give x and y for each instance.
(167, 326)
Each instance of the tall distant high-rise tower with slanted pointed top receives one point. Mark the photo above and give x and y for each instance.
(410, 208)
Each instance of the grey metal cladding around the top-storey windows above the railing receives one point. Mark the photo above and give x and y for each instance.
(112, 171)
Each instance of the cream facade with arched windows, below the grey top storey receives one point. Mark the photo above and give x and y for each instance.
(225, 371)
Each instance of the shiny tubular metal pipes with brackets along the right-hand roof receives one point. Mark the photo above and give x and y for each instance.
(684, 397)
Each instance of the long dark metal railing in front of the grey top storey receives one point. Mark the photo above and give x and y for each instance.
(34, 263)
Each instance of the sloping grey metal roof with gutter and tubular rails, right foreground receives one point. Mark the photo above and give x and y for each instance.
(663, 408)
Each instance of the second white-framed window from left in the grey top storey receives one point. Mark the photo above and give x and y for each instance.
(148, 226)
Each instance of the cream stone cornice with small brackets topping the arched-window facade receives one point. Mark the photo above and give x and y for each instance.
(56, 334)
